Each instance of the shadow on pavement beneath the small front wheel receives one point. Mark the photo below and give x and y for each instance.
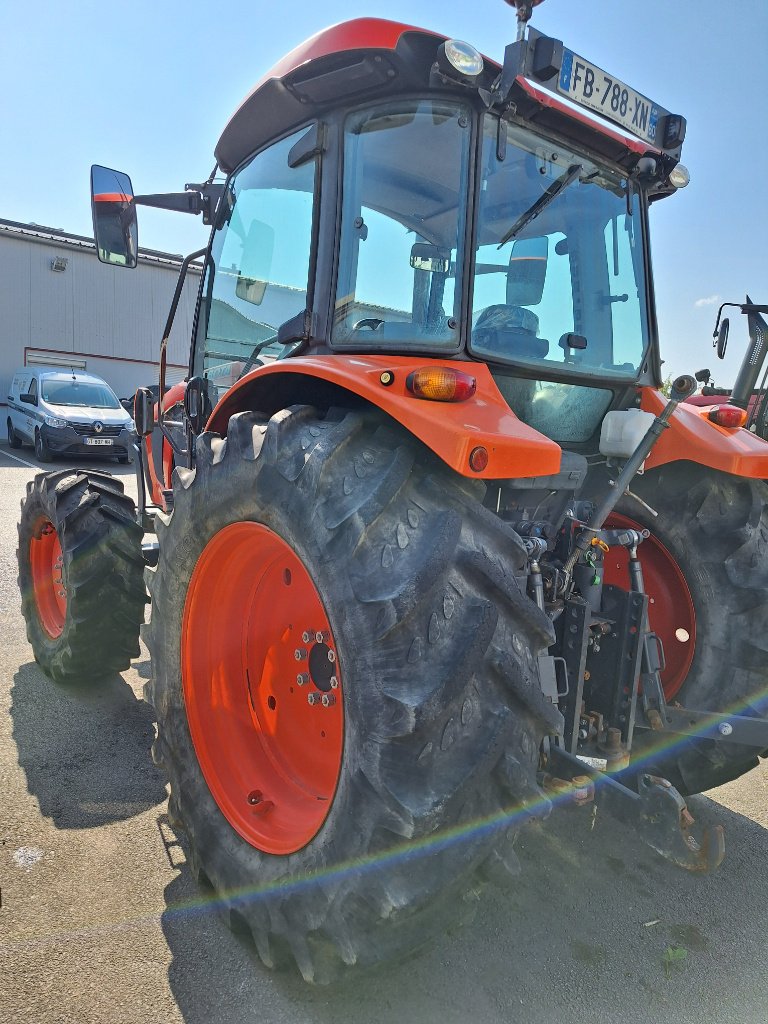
(86, 751)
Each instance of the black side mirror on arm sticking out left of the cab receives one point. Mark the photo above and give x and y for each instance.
(115, 227)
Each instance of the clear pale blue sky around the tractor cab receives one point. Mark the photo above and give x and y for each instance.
(148, 87)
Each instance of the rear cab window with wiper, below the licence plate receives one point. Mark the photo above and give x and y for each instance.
(560, 281)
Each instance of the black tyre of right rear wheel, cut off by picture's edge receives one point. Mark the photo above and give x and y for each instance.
(716, 526)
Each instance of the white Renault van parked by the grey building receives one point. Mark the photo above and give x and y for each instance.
(68, 413)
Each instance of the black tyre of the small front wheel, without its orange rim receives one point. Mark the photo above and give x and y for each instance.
(103, 573)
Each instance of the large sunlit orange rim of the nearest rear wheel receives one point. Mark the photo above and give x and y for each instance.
(263, 688)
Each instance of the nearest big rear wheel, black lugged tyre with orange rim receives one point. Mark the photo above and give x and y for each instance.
(423, 755)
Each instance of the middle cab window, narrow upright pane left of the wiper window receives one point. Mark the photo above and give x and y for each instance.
(403, 226)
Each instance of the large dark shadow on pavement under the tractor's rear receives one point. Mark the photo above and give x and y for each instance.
(584, 933)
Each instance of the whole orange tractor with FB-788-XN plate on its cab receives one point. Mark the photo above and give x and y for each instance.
(434, 553)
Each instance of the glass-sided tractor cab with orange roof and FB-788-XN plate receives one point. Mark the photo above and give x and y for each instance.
(392, 191)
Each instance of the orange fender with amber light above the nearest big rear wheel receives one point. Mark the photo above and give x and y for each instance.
(452, 431)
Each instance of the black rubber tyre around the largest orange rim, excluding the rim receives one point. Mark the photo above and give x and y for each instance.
(438, 646)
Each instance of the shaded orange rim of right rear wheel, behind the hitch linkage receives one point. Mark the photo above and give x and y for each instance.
(671, 612)
